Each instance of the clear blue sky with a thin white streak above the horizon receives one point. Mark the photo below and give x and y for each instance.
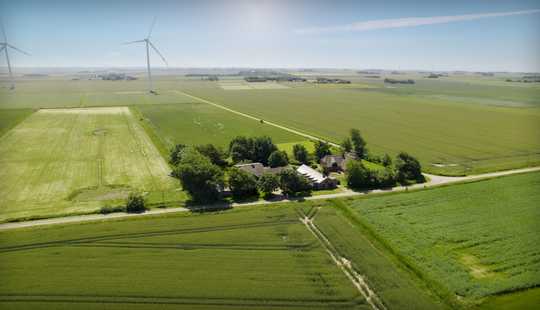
(473, 35)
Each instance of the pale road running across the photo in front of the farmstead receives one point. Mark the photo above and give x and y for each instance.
(435, 180)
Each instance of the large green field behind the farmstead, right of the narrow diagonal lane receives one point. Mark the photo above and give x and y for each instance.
(447, 130)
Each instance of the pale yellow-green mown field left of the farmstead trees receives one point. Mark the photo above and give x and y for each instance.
(60, 161)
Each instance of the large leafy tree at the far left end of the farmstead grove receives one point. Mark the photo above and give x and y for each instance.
(200, 178)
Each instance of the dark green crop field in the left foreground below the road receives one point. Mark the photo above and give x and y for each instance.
(250, 258)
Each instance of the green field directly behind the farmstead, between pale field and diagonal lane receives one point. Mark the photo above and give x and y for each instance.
(200, 123)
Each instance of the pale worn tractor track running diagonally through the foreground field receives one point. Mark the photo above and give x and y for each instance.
(343, 263)
